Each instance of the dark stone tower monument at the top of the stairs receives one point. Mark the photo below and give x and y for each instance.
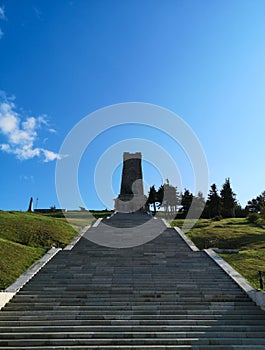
(131, 198)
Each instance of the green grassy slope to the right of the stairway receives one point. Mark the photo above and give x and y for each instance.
(233, 234)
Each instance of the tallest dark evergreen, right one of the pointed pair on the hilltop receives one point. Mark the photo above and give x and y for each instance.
(228, 200)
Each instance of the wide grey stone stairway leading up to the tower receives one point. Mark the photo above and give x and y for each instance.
(159, 295)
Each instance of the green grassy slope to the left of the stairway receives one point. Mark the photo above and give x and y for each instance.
(24, 238)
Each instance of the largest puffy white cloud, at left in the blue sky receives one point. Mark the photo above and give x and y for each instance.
(22, 135)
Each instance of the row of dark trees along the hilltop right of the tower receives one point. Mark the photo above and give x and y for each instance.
(222, 204)
